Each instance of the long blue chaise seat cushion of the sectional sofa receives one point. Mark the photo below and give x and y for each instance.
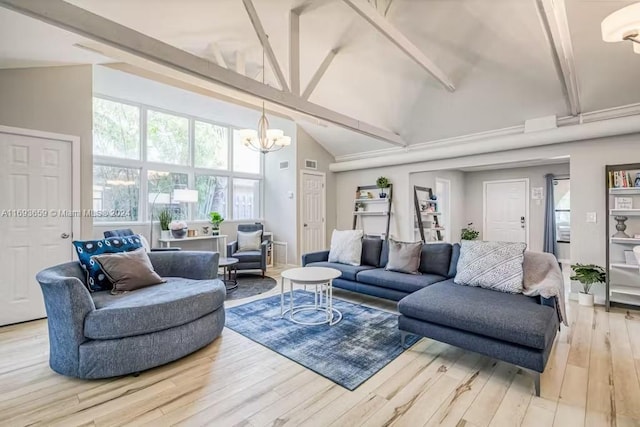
(514, 318)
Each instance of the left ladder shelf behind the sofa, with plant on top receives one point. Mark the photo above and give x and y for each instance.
(366, 207)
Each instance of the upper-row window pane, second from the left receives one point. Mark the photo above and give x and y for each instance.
(167, 138)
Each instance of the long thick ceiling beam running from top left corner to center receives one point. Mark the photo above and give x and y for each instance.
(121, 42)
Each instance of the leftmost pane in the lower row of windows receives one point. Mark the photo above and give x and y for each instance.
(116, 190)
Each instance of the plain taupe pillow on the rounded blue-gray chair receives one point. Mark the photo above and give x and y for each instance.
(128, 271)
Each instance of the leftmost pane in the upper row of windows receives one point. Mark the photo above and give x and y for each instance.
(116, 129)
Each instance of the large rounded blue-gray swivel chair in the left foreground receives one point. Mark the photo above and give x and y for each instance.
(100, 335)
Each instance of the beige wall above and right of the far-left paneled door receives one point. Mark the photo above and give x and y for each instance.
(58, 100)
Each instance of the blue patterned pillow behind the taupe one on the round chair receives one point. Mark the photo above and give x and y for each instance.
(96, 279)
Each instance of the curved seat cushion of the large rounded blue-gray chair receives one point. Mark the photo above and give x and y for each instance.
(151, 309)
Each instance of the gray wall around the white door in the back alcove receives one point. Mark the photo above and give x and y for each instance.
(474, 190)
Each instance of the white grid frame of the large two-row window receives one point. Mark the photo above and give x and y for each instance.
(191, 170)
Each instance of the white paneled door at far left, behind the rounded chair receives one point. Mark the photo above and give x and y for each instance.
(35, 184)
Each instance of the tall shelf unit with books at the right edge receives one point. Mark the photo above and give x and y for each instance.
(622, 199)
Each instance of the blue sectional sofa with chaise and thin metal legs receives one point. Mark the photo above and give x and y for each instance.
(511, 327)
